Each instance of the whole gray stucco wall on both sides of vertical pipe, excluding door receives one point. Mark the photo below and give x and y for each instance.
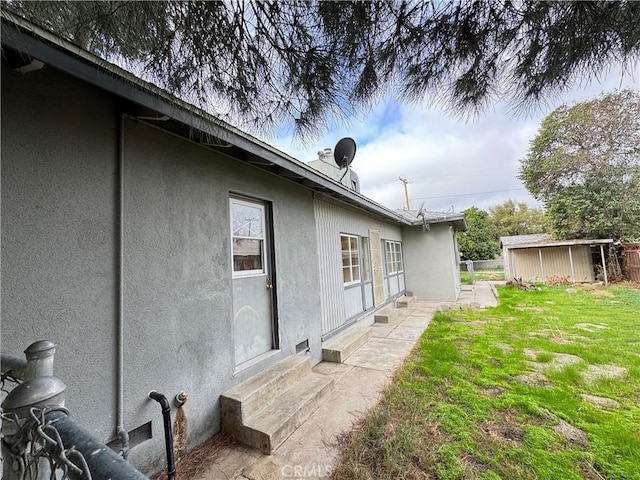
(60, 257)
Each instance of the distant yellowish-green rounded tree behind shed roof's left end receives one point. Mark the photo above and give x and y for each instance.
(511, 218)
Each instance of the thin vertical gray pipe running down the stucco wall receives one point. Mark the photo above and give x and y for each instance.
(121, 433)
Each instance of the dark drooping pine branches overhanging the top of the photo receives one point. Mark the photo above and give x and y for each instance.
(306, 63)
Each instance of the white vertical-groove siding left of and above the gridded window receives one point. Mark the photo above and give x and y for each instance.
(331, 221)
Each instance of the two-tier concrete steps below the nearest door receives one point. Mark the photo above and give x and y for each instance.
(265, 409)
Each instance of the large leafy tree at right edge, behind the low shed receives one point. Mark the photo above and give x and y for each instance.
(584, 164)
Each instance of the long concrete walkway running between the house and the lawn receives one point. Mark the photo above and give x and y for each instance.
(312, 450)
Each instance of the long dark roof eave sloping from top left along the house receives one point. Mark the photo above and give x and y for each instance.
(30, 39)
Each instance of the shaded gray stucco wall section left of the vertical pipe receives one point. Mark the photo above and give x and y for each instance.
(59, 152)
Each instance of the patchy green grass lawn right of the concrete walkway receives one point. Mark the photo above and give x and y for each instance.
(500, 393)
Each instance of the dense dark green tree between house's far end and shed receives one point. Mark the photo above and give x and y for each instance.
(477, 243)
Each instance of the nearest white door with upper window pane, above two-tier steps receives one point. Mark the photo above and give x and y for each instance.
(253, 327)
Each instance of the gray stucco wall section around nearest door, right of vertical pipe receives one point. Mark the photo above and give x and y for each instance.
(178, 311)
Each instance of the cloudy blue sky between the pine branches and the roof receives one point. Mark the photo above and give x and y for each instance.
(450, 163)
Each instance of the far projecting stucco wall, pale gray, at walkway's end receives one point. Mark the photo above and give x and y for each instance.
(431, 270)
